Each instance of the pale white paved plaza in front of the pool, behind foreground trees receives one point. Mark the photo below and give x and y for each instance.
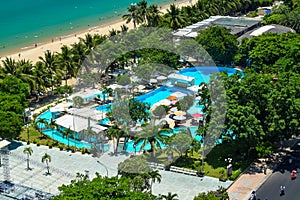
(64, 166)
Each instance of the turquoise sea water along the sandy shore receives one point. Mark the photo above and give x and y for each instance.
(26, 22)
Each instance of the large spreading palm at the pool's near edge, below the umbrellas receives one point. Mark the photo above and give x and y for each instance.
(152, 134)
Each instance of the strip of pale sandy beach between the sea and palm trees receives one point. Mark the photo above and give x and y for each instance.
(55, 44)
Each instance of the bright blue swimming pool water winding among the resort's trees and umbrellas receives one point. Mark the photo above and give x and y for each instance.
(201, 74)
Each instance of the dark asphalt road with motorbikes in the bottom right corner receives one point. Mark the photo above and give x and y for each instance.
(282, 176)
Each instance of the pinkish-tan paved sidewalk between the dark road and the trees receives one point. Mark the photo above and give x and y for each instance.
(253, 177)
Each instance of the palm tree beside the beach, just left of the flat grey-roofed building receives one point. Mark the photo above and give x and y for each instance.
(174, 17)
